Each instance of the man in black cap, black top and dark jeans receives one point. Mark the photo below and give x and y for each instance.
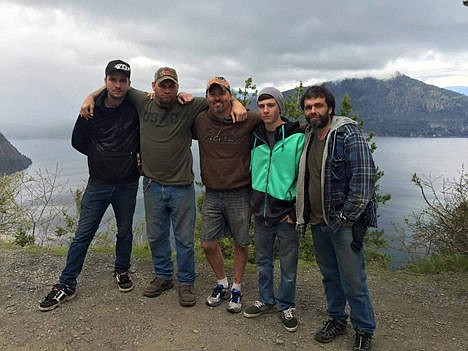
(111, 142)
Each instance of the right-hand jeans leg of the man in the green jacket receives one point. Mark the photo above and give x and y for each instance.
(288, 255)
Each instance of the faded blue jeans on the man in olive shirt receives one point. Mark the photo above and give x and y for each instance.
(167, 205)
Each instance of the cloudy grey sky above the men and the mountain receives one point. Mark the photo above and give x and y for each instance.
(54, 52)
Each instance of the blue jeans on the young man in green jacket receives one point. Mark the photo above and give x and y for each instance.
(288, 245)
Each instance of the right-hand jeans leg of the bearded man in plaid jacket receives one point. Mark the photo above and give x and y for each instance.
(353, 278)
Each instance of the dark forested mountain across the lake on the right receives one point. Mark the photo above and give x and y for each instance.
(403, 106)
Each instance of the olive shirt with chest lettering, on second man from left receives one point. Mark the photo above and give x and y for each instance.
(166, 138)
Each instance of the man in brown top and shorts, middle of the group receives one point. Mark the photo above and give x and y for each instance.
(224, 161)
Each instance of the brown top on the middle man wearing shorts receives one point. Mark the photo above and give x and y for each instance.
(224, 150)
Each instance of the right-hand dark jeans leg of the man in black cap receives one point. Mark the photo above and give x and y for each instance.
(123, 203)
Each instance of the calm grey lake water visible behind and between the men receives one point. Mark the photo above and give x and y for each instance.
(399, 158)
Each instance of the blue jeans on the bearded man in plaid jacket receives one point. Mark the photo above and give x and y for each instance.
(344, 276)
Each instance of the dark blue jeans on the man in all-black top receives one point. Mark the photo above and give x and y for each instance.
(96, 199)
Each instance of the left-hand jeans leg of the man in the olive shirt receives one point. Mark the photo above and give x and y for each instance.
(158, 227)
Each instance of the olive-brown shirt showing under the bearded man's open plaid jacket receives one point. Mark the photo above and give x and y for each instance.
(314, 163)
